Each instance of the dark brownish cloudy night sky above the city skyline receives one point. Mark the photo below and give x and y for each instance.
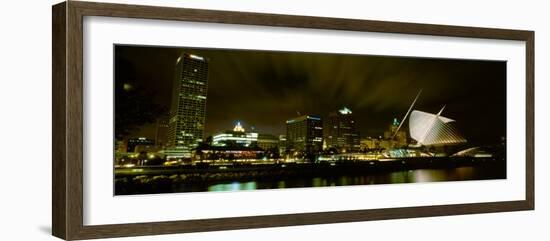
(265, 88)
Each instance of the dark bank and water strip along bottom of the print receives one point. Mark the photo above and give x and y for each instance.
(234, 177)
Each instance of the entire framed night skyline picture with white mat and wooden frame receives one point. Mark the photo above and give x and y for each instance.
(213, 120)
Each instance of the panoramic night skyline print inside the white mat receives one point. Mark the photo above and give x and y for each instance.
(207, 120)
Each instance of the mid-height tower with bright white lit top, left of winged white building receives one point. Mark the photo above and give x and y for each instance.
(340, 131)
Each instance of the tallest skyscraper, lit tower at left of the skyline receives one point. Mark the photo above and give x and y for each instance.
(188, 109)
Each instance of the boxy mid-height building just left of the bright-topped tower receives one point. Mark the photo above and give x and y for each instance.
(304, 134)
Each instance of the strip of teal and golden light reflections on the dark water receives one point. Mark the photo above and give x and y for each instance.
(410, 176)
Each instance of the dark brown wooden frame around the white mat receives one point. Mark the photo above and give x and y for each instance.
(67, 159)
